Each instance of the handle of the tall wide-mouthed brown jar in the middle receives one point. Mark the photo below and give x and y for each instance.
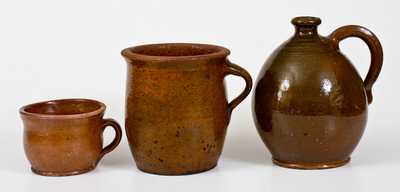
(233, 69)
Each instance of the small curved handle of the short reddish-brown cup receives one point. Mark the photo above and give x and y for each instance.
(115, 142)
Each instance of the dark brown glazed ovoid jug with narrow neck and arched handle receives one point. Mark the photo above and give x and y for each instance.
(310, 104)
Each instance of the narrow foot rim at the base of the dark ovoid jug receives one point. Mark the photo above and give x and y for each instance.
(325, 165)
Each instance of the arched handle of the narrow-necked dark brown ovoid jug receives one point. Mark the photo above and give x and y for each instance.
(374, 47)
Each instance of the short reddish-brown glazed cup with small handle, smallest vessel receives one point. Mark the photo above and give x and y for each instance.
(64, 137)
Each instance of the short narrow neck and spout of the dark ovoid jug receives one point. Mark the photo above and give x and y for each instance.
(306, 27)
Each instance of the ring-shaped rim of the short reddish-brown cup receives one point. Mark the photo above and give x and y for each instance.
(100, 110)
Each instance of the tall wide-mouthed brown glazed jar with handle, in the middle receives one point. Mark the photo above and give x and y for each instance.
(176, 107)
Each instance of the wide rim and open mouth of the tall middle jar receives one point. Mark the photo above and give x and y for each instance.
(174, 52)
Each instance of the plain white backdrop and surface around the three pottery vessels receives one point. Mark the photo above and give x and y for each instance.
(62, 49)
